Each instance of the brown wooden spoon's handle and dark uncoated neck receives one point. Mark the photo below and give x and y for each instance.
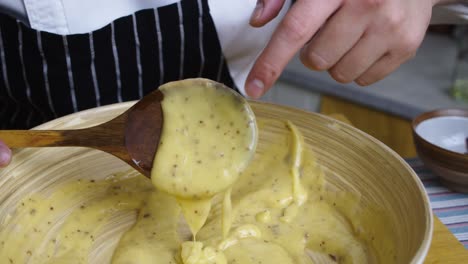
(132, 136)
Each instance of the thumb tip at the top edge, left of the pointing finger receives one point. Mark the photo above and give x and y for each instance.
(265, 11)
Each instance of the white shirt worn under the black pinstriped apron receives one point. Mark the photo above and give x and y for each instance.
(240, 42)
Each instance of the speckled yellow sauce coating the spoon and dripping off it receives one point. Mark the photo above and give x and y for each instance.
(208, 138)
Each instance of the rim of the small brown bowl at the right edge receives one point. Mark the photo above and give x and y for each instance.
(446, 112)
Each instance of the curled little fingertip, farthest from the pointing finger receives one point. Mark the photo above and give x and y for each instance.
(383, 67)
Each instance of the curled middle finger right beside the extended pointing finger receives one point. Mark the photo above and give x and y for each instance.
(335, 39)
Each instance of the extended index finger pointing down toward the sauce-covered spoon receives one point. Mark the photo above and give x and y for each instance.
(300, 23)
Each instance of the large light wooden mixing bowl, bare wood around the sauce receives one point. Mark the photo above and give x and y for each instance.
(389, 195)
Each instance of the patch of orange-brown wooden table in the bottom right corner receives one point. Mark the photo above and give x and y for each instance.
(445, 247)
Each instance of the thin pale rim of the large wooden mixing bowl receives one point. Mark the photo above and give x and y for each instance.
(418, 257)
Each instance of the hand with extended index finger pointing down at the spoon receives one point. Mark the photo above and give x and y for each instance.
(354, 40)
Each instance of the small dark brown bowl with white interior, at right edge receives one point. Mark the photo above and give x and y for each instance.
(441, 139)
